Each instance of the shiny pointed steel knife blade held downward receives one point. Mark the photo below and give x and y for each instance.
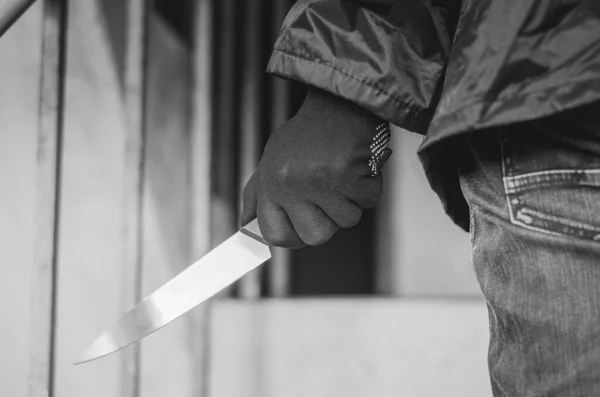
(221, 267)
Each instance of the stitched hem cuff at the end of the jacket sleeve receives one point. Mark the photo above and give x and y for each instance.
(343, 84)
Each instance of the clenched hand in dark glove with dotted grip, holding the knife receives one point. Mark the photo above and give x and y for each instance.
(315, 175)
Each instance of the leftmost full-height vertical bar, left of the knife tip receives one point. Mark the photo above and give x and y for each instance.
(51, 109)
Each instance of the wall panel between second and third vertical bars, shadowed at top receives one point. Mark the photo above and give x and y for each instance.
(167, 367)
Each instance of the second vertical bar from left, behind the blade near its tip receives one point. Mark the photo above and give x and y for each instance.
(133, 178)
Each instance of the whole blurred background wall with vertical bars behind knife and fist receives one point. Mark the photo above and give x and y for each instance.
(127, 131)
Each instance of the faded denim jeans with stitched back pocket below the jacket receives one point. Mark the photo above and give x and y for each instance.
(533, 191)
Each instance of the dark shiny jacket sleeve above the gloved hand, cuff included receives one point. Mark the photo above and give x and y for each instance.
(387, 56)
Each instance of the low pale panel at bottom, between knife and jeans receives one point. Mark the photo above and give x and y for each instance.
(349, 348)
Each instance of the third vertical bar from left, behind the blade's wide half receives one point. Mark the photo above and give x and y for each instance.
(201, 147)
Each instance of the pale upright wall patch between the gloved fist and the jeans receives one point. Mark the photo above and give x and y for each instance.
(411, 223)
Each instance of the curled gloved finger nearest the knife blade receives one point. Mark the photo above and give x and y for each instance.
(276, 227)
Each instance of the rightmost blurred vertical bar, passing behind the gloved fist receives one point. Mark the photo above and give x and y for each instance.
(279, 267)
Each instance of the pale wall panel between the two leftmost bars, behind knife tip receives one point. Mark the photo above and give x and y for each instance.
(92, 280)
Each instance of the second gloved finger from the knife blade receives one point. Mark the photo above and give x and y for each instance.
(311, 223)
